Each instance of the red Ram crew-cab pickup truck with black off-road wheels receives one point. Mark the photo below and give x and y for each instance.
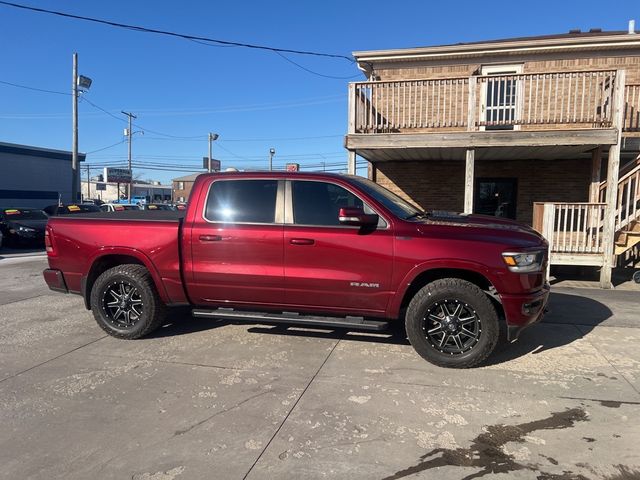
(311, 249)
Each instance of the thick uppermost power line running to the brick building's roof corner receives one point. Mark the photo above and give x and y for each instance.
(176, 34)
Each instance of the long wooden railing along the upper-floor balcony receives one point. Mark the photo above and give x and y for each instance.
(535, 101)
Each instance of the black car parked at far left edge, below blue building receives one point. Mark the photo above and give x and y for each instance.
(22, 226)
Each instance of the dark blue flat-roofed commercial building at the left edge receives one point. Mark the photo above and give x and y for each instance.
(34, 176)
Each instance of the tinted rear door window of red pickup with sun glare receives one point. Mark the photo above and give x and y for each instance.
(248, 201)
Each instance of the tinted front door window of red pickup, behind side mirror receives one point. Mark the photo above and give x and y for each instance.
(319, 203)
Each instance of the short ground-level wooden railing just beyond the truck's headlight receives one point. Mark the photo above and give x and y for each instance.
(574, 228)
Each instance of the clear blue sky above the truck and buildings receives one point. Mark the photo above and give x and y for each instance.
(253, 99)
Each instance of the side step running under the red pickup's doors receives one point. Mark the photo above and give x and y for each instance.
(292, 318)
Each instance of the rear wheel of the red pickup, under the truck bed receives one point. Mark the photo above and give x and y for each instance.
(125, 302)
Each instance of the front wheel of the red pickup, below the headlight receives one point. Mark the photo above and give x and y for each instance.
(451, 323)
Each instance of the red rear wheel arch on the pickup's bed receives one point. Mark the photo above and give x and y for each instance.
(107, 259)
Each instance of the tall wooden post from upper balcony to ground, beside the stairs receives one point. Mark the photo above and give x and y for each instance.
(609, 227)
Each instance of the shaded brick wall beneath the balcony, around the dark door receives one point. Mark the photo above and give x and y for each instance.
(440, 185)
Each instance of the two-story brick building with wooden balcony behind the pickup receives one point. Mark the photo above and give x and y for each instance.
(533, 129)
